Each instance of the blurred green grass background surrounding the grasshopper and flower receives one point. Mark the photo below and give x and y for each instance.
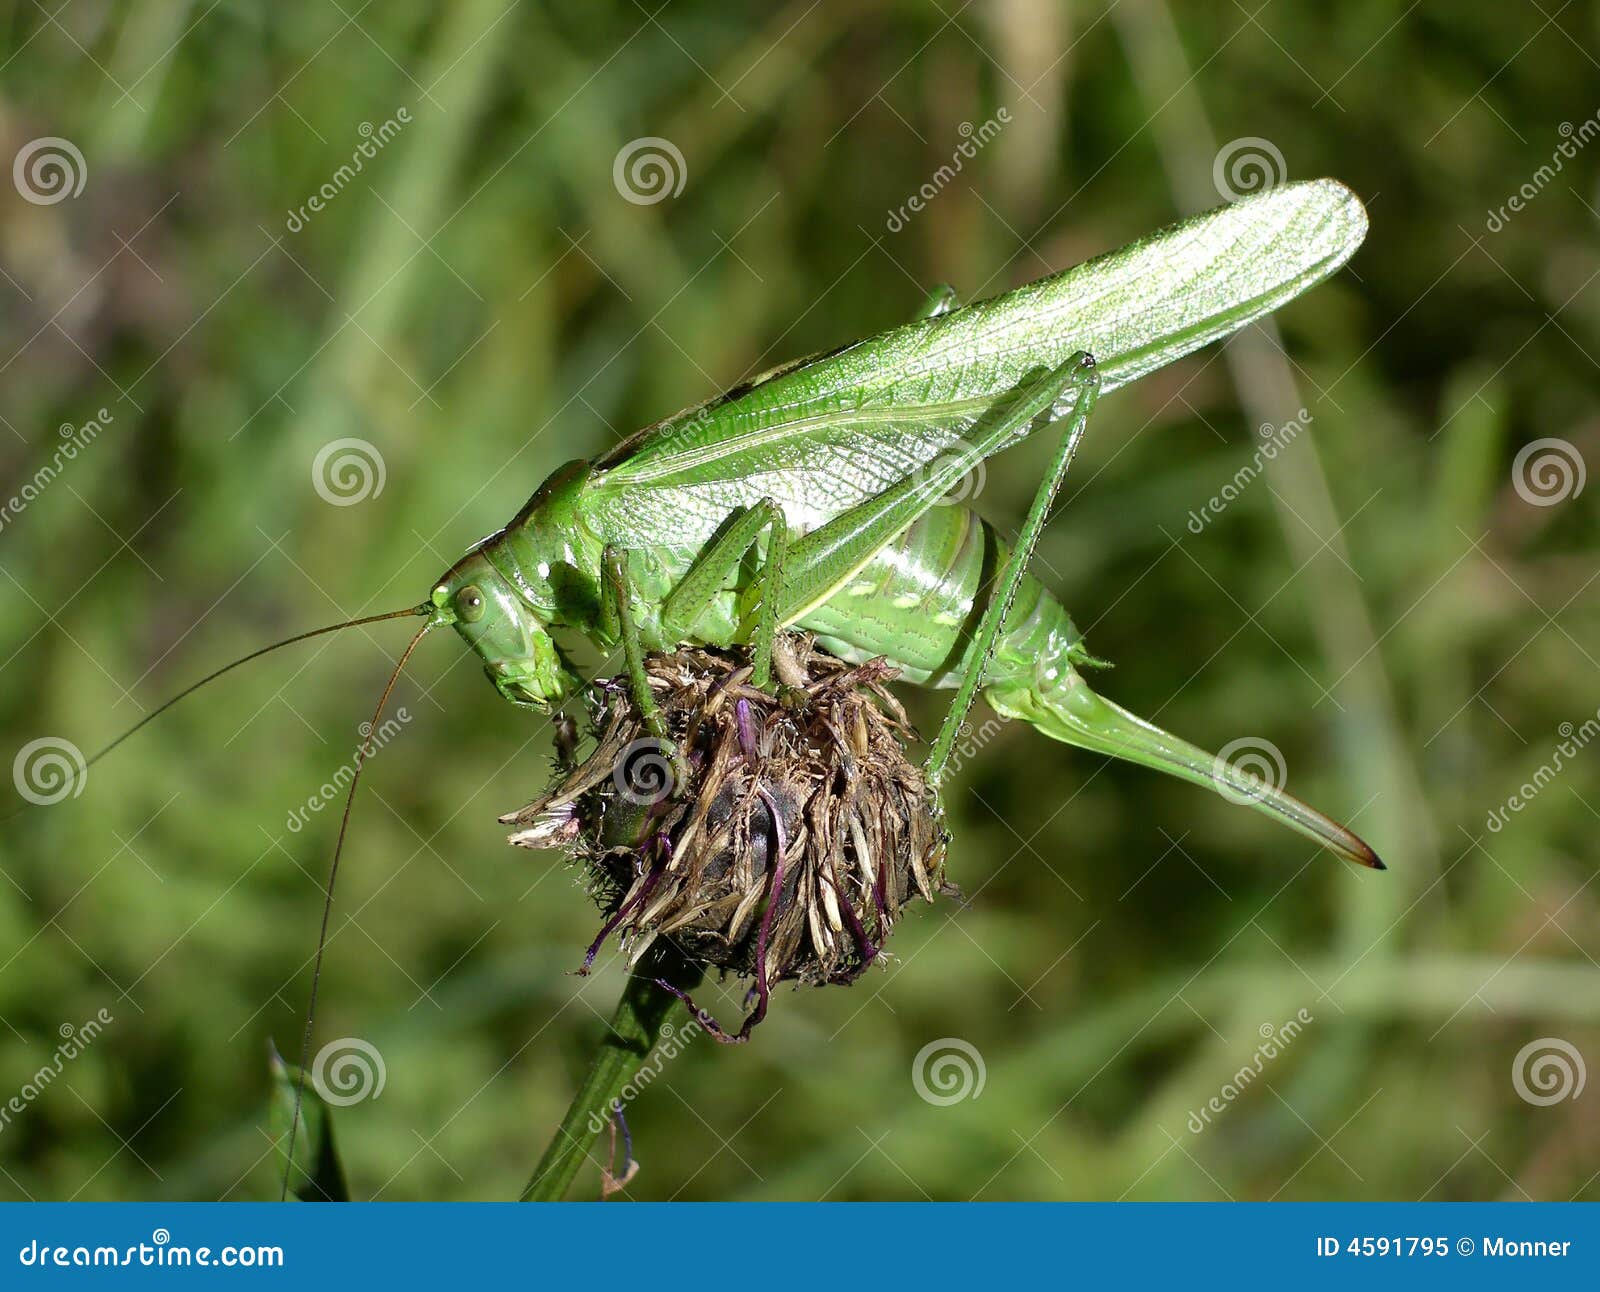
(482, 305)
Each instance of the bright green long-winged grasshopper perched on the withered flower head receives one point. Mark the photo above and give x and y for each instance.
(807, 498)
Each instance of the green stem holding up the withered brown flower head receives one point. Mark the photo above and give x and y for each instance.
(636, 1027)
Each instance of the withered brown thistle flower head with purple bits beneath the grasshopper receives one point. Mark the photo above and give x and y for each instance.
(799, 834)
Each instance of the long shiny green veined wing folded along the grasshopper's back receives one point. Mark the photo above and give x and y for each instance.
(826, 434)
